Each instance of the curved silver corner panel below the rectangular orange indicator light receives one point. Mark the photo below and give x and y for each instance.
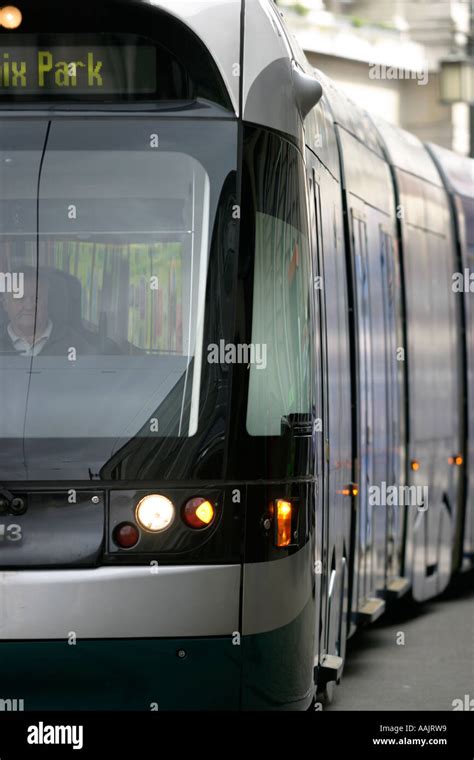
(276, 592)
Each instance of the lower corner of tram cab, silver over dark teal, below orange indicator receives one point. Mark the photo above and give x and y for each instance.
(278, 637)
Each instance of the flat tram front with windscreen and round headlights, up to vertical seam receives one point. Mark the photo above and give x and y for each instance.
(119, 544)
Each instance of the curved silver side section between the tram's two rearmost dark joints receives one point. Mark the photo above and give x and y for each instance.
(426, 236)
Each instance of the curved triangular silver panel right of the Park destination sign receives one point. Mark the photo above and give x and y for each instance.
(217, 24)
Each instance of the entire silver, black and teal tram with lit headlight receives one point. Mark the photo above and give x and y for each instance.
(236, 361)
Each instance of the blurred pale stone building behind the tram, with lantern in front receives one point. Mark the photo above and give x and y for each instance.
(411, 61)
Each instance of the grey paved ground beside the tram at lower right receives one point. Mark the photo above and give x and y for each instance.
(433, 667)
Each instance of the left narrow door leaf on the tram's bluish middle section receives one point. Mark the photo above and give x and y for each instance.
(365, 402)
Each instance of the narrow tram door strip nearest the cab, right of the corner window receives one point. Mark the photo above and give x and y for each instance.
(324, 581)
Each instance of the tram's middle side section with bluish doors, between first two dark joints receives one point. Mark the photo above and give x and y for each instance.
(379, 529)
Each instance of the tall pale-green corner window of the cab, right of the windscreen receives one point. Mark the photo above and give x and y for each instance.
(280, 383)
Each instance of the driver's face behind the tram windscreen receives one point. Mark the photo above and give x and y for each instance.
(21, 311)
